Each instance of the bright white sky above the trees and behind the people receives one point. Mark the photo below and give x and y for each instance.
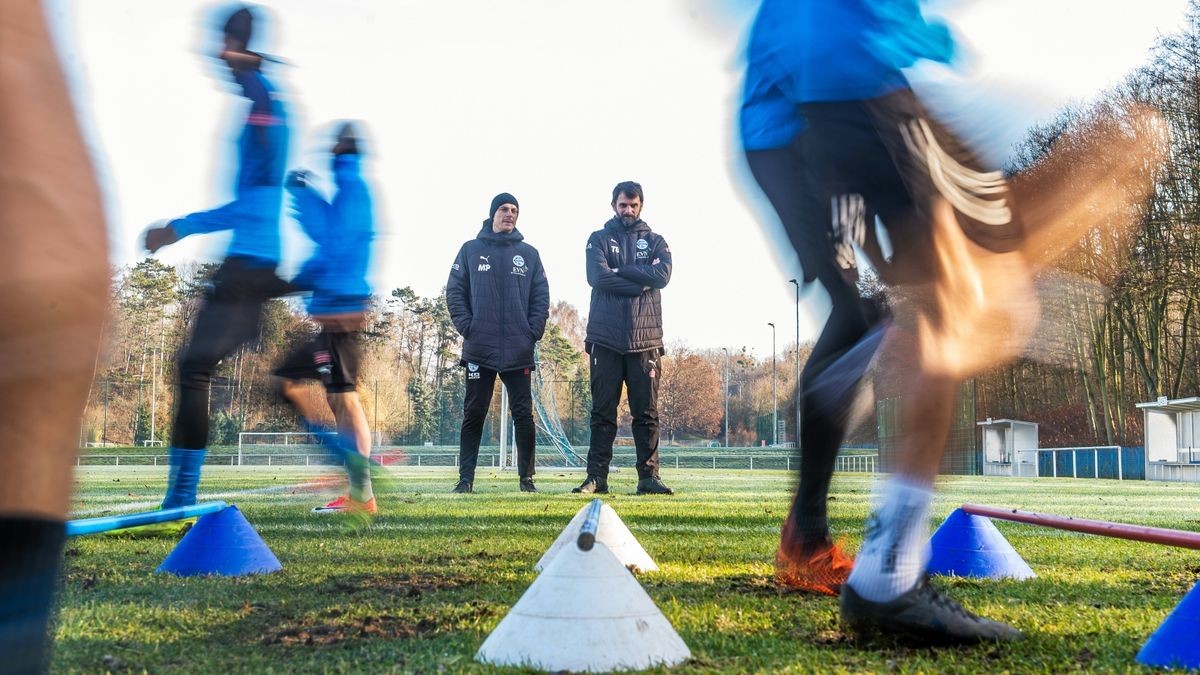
(551, 100)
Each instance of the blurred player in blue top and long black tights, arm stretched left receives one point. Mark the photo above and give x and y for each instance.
(247, 279)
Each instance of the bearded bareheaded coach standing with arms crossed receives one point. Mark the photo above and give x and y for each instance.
(628, 265)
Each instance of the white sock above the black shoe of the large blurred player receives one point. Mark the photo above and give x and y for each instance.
(896, 546)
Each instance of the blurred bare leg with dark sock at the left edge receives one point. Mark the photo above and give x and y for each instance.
(53, 296)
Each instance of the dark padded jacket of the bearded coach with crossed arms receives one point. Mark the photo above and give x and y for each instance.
(627, 309)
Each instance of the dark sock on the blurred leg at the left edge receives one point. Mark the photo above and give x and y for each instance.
(29, 569)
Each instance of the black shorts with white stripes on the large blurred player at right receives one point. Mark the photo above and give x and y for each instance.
(887, 157)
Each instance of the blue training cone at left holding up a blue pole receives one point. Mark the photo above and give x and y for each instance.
(221, 543)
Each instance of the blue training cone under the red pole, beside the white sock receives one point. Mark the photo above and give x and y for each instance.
(970, 546)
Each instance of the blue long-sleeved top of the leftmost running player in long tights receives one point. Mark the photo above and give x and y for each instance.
(254, 216)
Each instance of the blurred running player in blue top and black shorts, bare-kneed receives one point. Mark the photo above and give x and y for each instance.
(337, 274)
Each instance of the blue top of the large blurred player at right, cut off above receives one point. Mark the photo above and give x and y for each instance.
(820, 51)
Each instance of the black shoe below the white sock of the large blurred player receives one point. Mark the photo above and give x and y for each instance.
(925, 616)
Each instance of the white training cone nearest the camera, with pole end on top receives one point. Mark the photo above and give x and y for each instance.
(585, 613)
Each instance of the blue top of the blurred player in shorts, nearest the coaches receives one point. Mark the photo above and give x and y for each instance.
(337, 273)
